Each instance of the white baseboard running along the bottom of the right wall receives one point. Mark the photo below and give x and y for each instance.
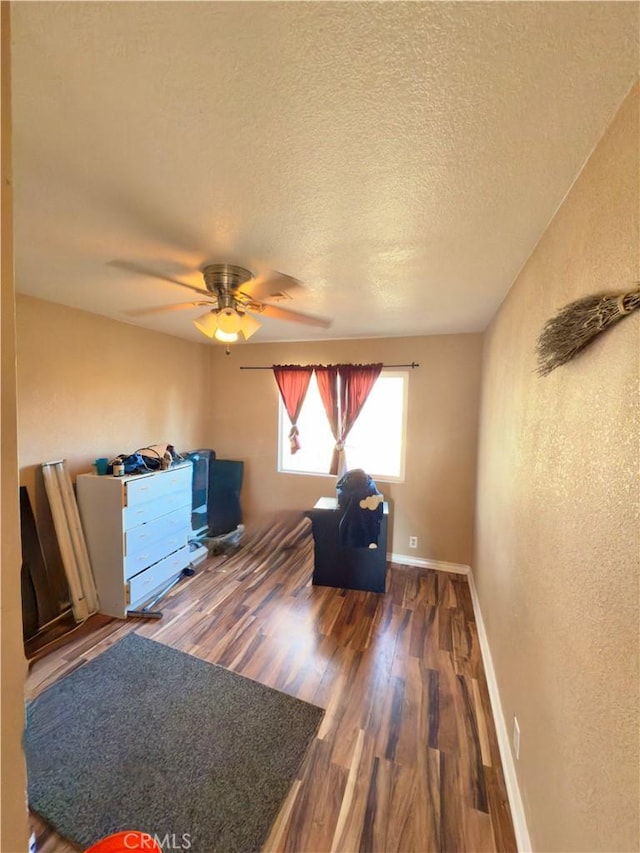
(511, 779)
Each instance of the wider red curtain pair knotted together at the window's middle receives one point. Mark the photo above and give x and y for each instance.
(344, 389)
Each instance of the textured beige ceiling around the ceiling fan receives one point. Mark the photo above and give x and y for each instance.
(400, 160)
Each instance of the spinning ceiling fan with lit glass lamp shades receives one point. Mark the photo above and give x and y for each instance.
(233, 295)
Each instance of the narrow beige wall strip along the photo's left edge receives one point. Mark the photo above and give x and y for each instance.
(13, 815)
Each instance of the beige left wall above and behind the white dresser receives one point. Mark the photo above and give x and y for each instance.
(89, 387)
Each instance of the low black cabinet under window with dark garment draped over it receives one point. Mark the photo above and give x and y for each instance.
(346, 568)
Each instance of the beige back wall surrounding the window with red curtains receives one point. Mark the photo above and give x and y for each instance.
(436, 501)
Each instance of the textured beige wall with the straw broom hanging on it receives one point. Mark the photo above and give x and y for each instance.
(558, 544)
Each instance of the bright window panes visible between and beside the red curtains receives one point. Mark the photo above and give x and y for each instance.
(376, 442)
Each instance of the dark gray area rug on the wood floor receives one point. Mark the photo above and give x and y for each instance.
(146, 737)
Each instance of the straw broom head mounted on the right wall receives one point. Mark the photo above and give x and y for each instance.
(578, 323)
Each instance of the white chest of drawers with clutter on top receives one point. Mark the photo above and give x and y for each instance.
(137, 530)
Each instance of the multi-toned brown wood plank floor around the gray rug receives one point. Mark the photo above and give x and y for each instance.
(406, 758)
